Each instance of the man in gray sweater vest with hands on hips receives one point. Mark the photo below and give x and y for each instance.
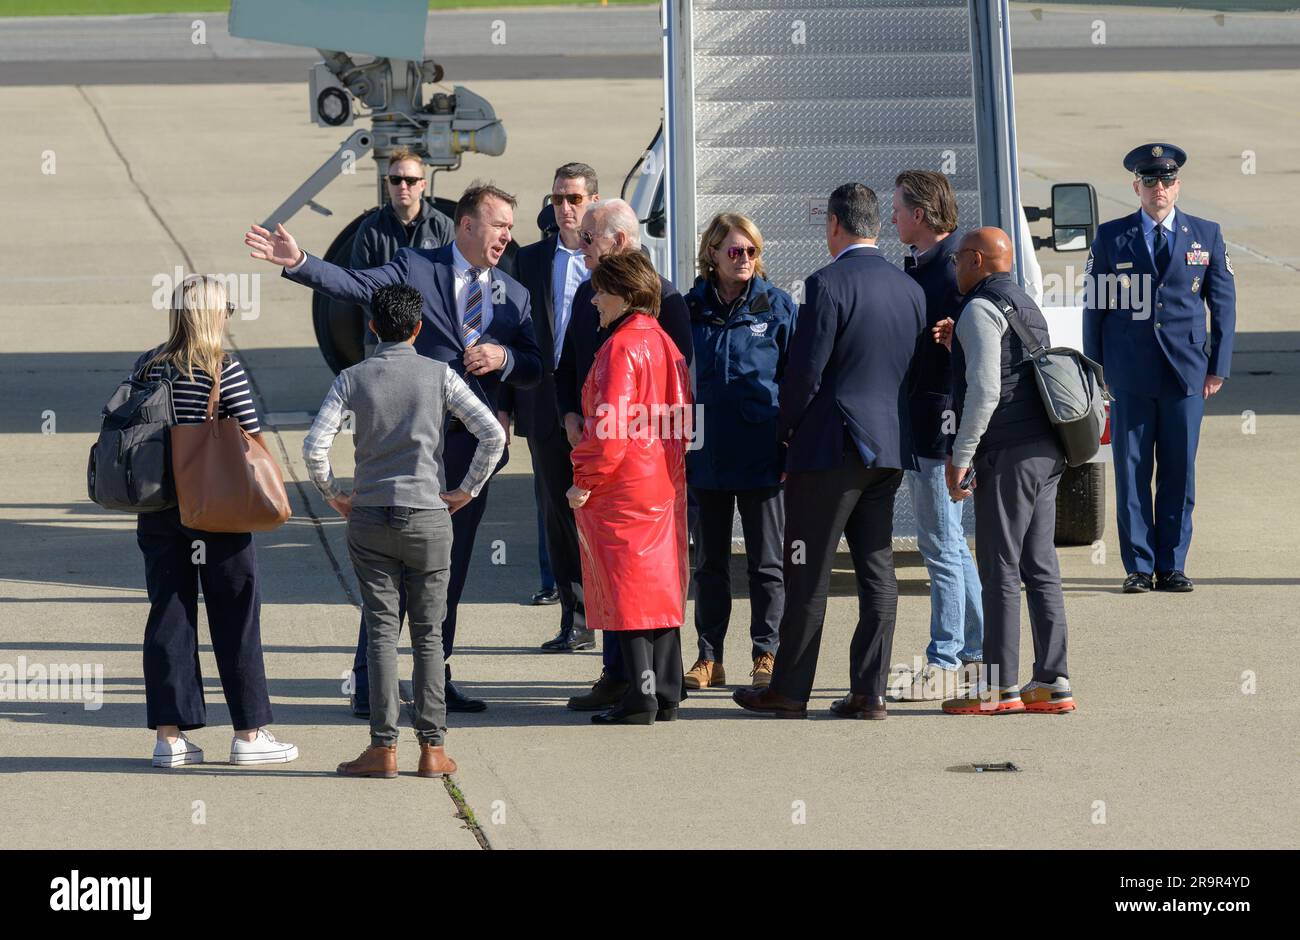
(398, 514)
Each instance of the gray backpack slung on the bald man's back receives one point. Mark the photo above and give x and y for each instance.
(1073, 392)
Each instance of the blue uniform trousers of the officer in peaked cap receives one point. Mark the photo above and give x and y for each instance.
(1155, 437)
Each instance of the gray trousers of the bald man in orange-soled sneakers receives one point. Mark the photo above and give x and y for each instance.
(1016, 491)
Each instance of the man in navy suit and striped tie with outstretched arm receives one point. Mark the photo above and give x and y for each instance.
(476, 319)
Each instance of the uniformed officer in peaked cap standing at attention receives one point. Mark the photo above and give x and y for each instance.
(1152, 276)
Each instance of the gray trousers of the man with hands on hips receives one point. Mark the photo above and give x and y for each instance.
(392, 545)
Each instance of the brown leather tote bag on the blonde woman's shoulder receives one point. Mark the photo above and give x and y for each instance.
(226, 479)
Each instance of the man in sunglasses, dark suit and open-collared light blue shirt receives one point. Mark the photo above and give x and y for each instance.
(553, 270)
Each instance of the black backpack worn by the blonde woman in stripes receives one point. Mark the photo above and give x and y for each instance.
(131, 465)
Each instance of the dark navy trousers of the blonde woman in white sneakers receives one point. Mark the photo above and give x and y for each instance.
(176, 562)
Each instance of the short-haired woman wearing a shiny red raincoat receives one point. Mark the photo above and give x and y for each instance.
(630, 490)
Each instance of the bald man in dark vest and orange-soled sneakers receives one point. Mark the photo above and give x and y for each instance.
(1008, 456)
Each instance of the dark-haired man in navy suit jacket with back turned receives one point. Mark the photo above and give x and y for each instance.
(847, 424)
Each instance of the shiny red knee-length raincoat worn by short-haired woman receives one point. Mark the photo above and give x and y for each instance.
(632, 530)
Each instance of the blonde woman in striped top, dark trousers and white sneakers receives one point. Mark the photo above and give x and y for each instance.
(179, 560)
